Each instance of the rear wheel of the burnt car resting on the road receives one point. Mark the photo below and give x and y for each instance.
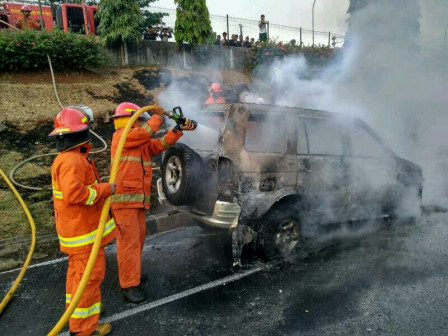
(281, 232)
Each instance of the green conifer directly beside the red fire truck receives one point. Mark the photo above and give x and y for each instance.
(120, 21)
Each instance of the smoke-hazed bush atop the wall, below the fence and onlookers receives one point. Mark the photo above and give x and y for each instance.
(265, 52)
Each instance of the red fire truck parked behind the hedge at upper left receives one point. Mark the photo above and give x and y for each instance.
(69, 17)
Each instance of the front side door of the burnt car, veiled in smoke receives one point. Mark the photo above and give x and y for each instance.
(374, 170)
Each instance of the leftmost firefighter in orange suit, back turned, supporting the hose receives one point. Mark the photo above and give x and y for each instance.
(78, 198)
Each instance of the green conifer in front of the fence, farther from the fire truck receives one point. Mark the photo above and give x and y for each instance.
(192, 22)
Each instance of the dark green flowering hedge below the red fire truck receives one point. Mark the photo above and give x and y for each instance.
(28, 50)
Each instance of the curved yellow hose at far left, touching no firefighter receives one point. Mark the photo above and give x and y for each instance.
(16, 283)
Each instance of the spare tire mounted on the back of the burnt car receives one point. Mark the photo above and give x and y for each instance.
(181, 168)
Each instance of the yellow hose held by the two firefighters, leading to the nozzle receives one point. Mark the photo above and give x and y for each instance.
(99, 236)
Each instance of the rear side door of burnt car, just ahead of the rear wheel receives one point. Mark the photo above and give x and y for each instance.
(324, 174)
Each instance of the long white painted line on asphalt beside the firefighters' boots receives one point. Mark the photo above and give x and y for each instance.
(178, 296)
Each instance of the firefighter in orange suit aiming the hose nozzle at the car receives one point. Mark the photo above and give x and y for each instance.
(133, 190)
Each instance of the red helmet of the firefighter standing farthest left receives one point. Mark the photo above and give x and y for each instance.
(69, 121)
